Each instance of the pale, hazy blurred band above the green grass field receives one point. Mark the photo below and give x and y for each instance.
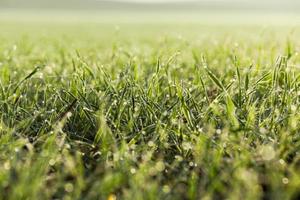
(230, 11)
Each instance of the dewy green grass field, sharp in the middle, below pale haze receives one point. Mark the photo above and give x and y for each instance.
(169, 110)
